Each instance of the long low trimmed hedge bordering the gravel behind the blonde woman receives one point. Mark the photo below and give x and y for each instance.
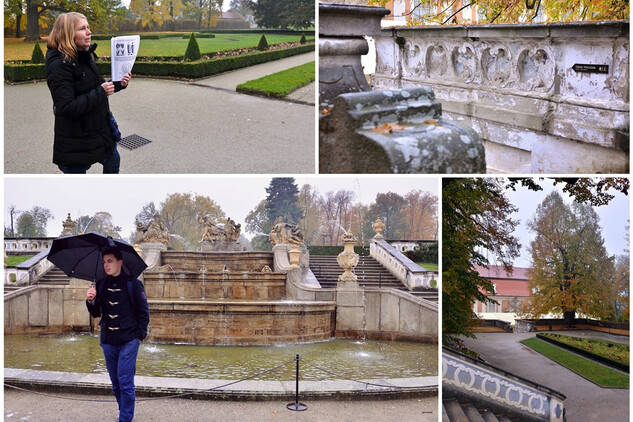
(20, 72)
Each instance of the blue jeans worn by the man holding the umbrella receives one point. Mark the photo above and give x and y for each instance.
(121, 364)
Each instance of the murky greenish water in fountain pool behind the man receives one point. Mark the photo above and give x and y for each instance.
(345, 358)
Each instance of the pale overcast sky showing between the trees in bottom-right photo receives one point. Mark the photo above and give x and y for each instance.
(613, 218)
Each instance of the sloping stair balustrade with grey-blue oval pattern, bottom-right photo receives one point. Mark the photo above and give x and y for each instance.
(486, 383)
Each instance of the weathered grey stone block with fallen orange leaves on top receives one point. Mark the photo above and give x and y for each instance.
(399, 131)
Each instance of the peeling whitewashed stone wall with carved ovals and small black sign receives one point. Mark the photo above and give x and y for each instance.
(521, 88)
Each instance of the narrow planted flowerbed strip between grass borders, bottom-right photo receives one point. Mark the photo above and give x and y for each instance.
(613, 354)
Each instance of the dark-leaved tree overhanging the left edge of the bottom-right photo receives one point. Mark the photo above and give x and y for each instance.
(476, 227)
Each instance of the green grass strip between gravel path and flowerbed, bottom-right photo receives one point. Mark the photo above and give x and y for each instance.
(594, 372)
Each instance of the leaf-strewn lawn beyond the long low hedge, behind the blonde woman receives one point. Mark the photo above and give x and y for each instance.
(17, 49)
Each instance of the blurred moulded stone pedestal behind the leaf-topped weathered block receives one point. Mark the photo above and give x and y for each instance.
(341, 45)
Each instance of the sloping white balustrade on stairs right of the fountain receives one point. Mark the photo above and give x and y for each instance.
(410, 274)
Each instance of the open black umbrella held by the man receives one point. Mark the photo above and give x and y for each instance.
(81, 256)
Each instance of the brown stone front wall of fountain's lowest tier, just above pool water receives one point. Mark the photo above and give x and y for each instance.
(229, 322)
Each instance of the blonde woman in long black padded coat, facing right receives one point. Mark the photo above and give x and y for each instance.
(80, 98)
